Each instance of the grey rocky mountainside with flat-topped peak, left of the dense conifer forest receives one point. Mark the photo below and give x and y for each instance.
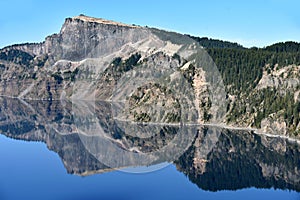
(97, 59)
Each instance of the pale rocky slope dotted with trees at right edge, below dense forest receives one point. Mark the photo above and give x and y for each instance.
(276, 98)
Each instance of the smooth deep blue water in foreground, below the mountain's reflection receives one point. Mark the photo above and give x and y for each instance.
(28, 170)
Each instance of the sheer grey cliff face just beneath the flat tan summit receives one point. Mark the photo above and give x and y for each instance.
(82, 38)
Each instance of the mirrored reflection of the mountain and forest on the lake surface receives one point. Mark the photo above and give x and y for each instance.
(90, 140)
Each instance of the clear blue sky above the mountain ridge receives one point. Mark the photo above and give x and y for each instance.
(251, 23)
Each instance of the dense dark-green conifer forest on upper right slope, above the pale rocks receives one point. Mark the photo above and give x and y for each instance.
(242, 68)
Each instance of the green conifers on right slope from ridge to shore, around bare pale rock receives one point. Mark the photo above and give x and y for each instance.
(242, 69)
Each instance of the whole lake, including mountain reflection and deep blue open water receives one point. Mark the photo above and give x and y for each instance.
(63, 150)
